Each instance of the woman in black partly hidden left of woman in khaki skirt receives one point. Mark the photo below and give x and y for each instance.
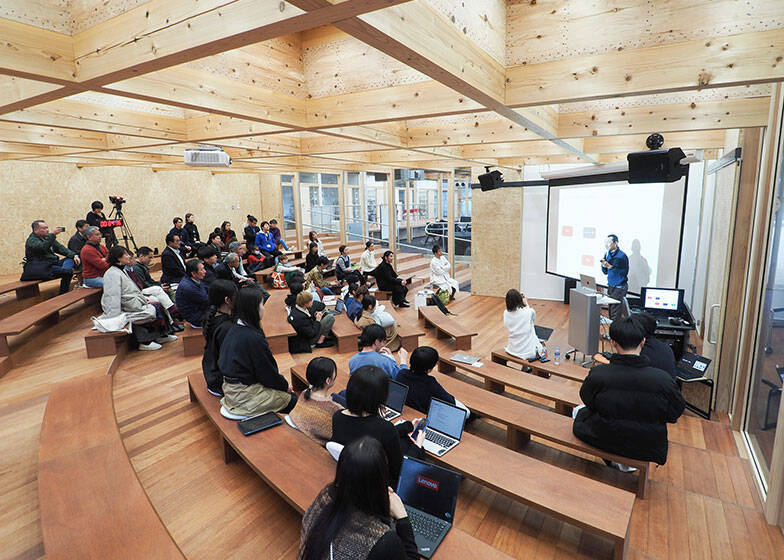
(217, 324)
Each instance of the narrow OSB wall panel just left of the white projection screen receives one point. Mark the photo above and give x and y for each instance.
(496, 237)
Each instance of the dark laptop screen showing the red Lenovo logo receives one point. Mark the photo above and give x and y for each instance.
(428, 488)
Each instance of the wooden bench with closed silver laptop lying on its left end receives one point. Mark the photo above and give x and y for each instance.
(565, 395)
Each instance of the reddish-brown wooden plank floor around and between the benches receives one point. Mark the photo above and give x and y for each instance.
(702, 503)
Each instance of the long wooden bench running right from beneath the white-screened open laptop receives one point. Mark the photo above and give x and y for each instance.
(586, 503)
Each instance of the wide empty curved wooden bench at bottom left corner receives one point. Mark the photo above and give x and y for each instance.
(92, 505)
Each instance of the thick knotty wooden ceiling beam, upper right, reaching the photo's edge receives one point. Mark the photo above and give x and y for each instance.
(745, 58)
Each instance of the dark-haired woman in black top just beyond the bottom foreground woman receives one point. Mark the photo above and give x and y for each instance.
(365, 393)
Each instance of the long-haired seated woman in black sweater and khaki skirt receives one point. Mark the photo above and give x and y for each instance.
(251, 382)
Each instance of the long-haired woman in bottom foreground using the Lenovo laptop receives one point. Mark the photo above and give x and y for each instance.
(357, 516)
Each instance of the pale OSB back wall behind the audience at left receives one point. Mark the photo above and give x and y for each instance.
(61, 194)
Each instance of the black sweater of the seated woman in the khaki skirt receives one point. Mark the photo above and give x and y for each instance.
(245, 357)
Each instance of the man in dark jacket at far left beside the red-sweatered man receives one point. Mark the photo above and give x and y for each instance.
(41, 262)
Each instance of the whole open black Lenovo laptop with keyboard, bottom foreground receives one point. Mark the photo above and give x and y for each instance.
(430, 496)
